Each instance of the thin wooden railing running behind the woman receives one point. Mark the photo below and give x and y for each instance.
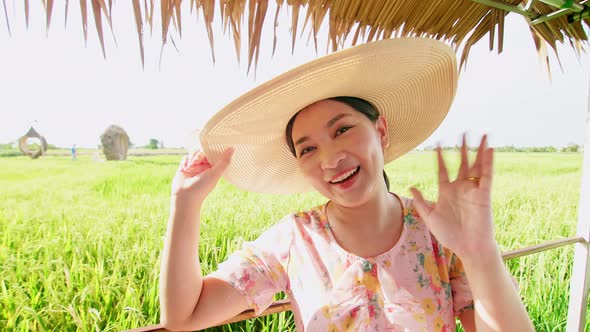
(285, 305)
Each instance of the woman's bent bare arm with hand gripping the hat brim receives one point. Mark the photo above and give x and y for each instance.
(187, 300)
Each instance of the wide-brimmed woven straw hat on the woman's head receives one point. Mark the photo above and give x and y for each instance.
(411, 82)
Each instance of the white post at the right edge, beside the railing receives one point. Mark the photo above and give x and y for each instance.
(580, 281)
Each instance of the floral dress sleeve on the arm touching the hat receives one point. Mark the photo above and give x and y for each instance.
(258, 270)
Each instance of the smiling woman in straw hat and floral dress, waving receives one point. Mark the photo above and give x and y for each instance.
(367, 259)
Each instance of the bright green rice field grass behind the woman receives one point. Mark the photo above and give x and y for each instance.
(80, 240)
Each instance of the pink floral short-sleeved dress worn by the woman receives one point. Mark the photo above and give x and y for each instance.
(417, 285)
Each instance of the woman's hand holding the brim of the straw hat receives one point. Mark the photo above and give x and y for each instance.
(196, 177)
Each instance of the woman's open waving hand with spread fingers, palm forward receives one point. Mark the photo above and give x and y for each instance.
(461, 219)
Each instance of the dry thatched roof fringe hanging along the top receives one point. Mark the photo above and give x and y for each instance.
(462, 23)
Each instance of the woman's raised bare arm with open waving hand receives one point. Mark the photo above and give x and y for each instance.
(462, 220)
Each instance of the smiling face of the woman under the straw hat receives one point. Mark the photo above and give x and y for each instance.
(340, 151)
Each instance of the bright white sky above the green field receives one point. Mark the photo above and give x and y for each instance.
(71, 94)
